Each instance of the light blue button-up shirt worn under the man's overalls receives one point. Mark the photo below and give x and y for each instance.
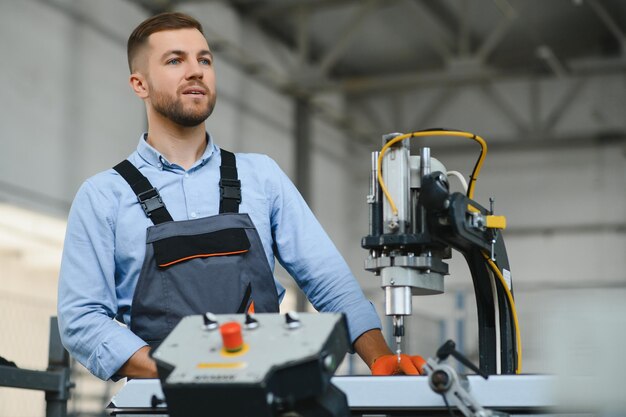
(105, 247)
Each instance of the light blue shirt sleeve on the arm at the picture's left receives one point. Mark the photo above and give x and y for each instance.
(87, 302)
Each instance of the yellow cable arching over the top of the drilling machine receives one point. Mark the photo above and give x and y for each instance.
(474, 176)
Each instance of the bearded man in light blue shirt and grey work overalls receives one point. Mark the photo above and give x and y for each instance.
(183, 227)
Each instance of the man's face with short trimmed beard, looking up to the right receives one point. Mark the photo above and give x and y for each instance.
(178, 69)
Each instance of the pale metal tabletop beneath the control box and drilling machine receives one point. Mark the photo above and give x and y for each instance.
(385, 396)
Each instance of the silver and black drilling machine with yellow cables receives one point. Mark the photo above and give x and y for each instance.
(415, 222)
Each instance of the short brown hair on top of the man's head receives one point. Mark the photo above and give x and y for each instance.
(157, 23)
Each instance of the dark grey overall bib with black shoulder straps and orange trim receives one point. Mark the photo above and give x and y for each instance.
(213, 264)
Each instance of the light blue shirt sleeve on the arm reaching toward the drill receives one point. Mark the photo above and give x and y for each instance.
(307, 253)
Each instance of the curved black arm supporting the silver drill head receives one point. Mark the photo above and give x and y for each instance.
(461, 223)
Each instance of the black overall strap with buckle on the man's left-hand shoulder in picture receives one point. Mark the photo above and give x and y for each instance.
(148, 196)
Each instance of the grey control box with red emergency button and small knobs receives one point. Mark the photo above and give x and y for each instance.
(253, 365)
